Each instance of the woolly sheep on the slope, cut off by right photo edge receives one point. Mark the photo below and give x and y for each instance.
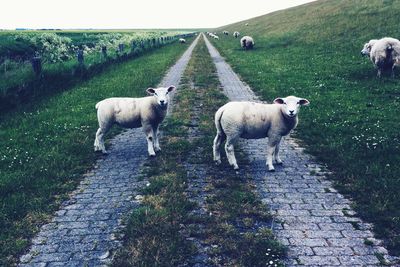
(385, 54)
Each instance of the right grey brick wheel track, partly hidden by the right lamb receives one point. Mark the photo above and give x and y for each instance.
(313, 219)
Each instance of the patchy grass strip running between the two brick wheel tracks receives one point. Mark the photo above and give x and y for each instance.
(158, 234)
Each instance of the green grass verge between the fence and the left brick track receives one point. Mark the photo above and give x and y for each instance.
(47, 145)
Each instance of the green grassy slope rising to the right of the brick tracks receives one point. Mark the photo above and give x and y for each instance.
(313, 51)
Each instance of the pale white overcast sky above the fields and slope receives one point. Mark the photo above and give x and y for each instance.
(133, 14)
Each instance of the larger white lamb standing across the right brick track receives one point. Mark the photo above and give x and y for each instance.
(252, 120)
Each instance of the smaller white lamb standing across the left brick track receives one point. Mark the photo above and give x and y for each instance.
(146, 112)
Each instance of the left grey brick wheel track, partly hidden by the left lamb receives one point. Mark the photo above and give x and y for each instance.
(84, 231)
